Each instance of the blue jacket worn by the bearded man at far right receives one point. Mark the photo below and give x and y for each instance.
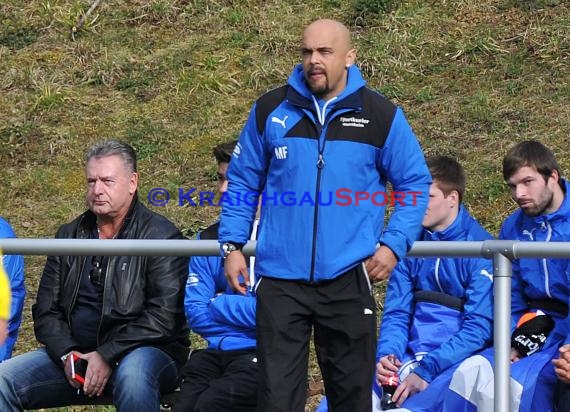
(541, 283)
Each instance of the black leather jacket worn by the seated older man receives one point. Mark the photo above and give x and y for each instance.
(143, 301)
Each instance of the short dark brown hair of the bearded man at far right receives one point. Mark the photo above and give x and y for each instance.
(530, 153)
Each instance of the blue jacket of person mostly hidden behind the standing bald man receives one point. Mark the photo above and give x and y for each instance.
(224, 318)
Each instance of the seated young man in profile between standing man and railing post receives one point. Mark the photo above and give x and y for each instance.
(438, 311)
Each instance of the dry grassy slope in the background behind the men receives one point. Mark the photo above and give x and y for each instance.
(176, 77)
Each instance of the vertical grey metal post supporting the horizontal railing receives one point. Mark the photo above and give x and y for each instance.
(502, 272)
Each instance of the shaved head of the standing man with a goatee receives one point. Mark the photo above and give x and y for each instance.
(327, 53)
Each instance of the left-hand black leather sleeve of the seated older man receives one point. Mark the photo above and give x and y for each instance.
(50, 324)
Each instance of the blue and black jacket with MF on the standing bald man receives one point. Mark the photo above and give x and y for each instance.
(310, 160)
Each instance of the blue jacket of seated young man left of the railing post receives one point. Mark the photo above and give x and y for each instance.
(469, 279)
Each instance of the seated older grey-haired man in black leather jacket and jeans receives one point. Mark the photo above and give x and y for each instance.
(122, 315)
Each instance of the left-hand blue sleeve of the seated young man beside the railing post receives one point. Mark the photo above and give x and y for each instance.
(397, 315)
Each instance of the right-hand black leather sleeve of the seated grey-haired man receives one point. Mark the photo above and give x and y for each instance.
(164, 300)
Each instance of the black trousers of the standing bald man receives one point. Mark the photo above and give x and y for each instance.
(342, 313)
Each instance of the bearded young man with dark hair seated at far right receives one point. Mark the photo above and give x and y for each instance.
(540, 288)
